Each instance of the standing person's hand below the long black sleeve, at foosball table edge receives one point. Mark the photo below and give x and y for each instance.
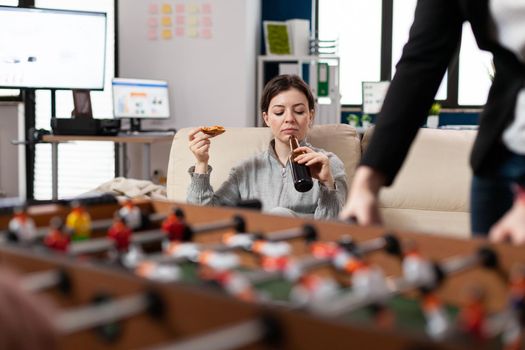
(363, 203)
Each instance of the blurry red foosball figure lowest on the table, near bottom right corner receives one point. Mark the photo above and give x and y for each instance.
(473, 315)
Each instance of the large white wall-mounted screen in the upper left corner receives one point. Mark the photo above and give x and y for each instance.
(52, 49)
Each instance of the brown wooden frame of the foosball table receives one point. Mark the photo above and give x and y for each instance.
(189, 311)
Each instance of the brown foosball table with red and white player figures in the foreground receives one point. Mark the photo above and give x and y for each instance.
(162, 275)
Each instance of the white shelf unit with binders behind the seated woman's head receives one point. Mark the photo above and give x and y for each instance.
(307, 67)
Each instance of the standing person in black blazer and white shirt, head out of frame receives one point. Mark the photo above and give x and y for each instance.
(434, 37)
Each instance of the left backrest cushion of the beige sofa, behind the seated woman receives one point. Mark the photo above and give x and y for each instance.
(237, 144)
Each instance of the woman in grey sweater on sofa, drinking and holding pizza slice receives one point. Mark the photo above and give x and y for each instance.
(287, 107)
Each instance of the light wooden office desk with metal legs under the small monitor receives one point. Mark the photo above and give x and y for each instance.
(146, 139)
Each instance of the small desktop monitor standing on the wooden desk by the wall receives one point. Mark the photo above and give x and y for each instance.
(139, 99)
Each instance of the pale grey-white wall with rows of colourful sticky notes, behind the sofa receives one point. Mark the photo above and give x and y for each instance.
(212, 81)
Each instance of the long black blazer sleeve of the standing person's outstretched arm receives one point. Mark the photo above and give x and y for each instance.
(434, 37)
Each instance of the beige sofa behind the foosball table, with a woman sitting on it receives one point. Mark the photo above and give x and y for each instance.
(429, 195)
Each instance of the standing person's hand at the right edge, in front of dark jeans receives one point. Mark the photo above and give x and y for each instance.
(511, 226)
